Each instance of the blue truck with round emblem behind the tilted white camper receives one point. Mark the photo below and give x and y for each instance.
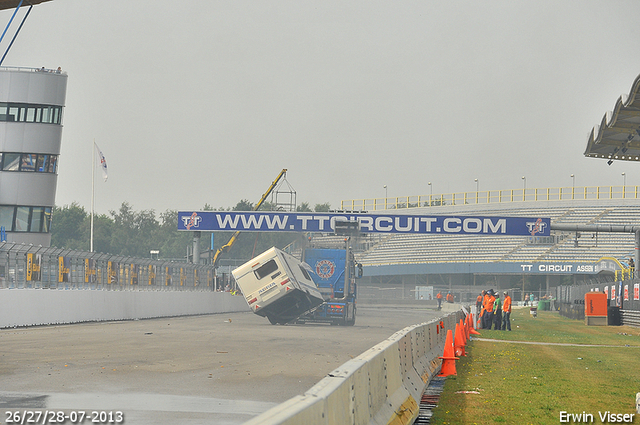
(335, 274)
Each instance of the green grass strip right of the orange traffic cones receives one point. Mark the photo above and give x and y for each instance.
(506, 381)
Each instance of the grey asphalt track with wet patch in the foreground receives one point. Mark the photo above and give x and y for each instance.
(215, 369)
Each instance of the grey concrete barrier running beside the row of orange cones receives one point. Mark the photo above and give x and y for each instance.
(383, 385)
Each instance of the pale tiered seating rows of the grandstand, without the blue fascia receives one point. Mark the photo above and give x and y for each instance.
(560, 247)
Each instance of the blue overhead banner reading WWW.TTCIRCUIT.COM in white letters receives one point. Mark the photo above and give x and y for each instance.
(369, 223)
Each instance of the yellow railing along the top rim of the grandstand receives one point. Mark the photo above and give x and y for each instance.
(495, 197)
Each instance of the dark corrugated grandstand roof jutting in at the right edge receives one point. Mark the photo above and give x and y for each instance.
(618, 135)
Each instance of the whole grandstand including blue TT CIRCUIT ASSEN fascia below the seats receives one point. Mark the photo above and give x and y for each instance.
(459, 262)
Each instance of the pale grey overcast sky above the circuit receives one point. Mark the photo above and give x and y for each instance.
(206, 101)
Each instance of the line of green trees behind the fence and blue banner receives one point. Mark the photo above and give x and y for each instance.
(135, 233)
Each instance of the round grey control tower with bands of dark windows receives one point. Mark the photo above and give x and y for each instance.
(31, 109)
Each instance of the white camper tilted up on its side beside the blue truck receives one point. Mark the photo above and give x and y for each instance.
(278, 286)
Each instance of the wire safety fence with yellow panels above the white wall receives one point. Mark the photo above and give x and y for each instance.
(28, 266)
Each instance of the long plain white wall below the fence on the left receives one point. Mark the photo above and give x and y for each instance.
(28, 307)
